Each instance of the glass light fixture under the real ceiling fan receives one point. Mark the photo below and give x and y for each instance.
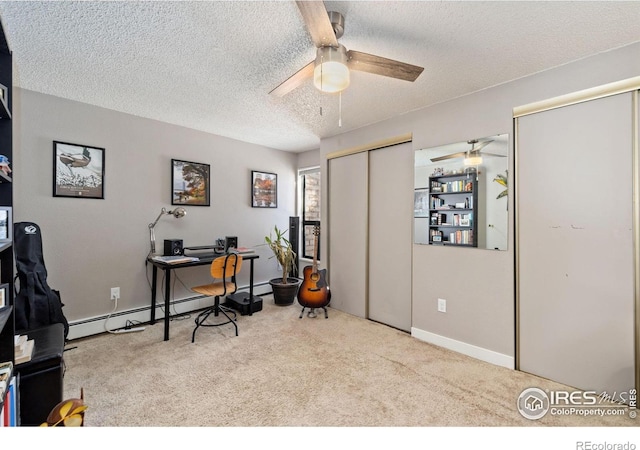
(331, 73)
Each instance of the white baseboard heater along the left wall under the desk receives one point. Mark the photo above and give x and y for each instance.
(118, 319)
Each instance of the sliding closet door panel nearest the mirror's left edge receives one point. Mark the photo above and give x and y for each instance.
(390, 223)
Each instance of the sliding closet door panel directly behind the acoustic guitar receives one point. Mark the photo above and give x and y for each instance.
(348, 252)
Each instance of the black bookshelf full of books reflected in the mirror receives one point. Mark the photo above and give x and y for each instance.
(453, 209)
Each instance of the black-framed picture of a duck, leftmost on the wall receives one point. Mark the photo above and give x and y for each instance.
(78, 170)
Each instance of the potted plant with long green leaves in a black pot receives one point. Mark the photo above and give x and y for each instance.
(285, 287)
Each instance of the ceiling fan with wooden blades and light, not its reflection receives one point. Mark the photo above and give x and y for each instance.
(330, 69)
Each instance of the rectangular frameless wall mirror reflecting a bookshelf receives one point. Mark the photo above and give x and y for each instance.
(460, 196)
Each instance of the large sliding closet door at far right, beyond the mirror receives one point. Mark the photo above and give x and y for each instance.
(575, 258)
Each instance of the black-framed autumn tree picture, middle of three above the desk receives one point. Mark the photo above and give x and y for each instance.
(190, 183)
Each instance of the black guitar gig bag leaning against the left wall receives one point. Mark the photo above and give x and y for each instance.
(36, 304)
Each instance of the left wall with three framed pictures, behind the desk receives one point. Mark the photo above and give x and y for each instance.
(91, 245)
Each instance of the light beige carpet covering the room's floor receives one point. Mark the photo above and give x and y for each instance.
(342, 371)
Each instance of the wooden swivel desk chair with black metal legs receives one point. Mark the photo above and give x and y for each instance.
(224, 270)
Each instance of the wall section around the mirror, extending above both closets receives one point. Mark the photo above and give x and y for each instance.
(478, 284)
